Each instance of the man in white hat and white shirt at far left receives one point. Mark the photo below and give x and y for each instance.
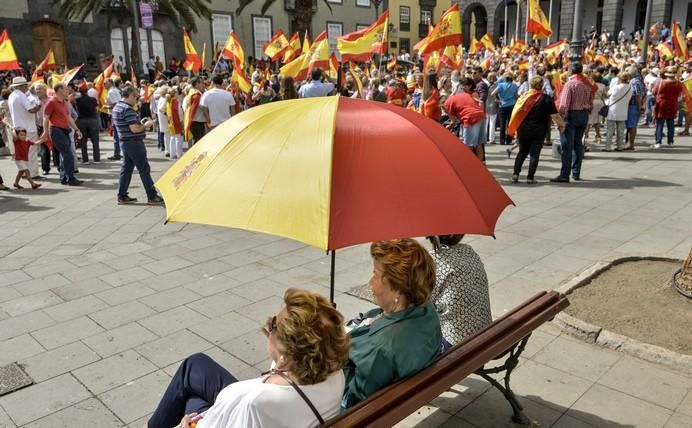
(23, 115)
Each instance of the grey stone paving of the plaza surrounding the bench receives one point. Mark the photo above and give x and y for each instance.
(100, 302)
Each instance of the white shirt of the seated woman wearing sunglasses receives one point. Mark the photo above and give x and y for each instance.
(253, 404)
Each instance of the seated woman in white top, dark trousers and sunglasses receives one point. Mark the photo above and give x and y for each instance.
(308, 346)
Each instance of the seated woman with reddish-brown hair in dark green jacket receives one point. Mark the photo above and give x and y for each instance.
(402, 336)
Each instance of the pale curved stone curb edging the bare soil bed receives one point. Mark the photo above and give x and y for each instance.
(594, 334)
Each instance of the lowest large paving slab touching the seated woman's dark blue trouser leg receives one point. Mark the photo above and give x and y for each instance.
(136, 398)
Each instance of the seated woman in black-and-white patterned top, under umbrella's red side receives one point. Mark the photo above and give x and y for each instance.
(461, 289)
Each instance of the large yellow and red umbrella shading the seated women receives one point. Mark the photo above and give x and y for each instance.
(333, 172)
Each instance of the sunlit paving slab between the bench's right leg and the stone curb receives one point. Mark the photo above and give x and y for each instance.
(586, 361)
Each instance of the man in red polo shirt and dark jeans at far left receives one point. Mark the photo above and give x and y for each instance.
(58, 123)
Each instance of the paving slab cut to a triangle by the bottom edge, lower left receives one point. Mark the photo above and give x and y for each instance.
(87, 413)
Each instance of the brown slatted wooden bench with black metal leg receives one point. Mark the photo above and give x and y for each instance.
(505, 338)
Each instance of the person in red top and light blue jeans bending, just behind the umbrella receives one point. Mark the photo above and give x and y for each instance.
(465, 109)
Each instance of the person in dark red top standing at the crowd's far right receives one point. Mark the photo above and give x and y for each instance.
(667, 92)
